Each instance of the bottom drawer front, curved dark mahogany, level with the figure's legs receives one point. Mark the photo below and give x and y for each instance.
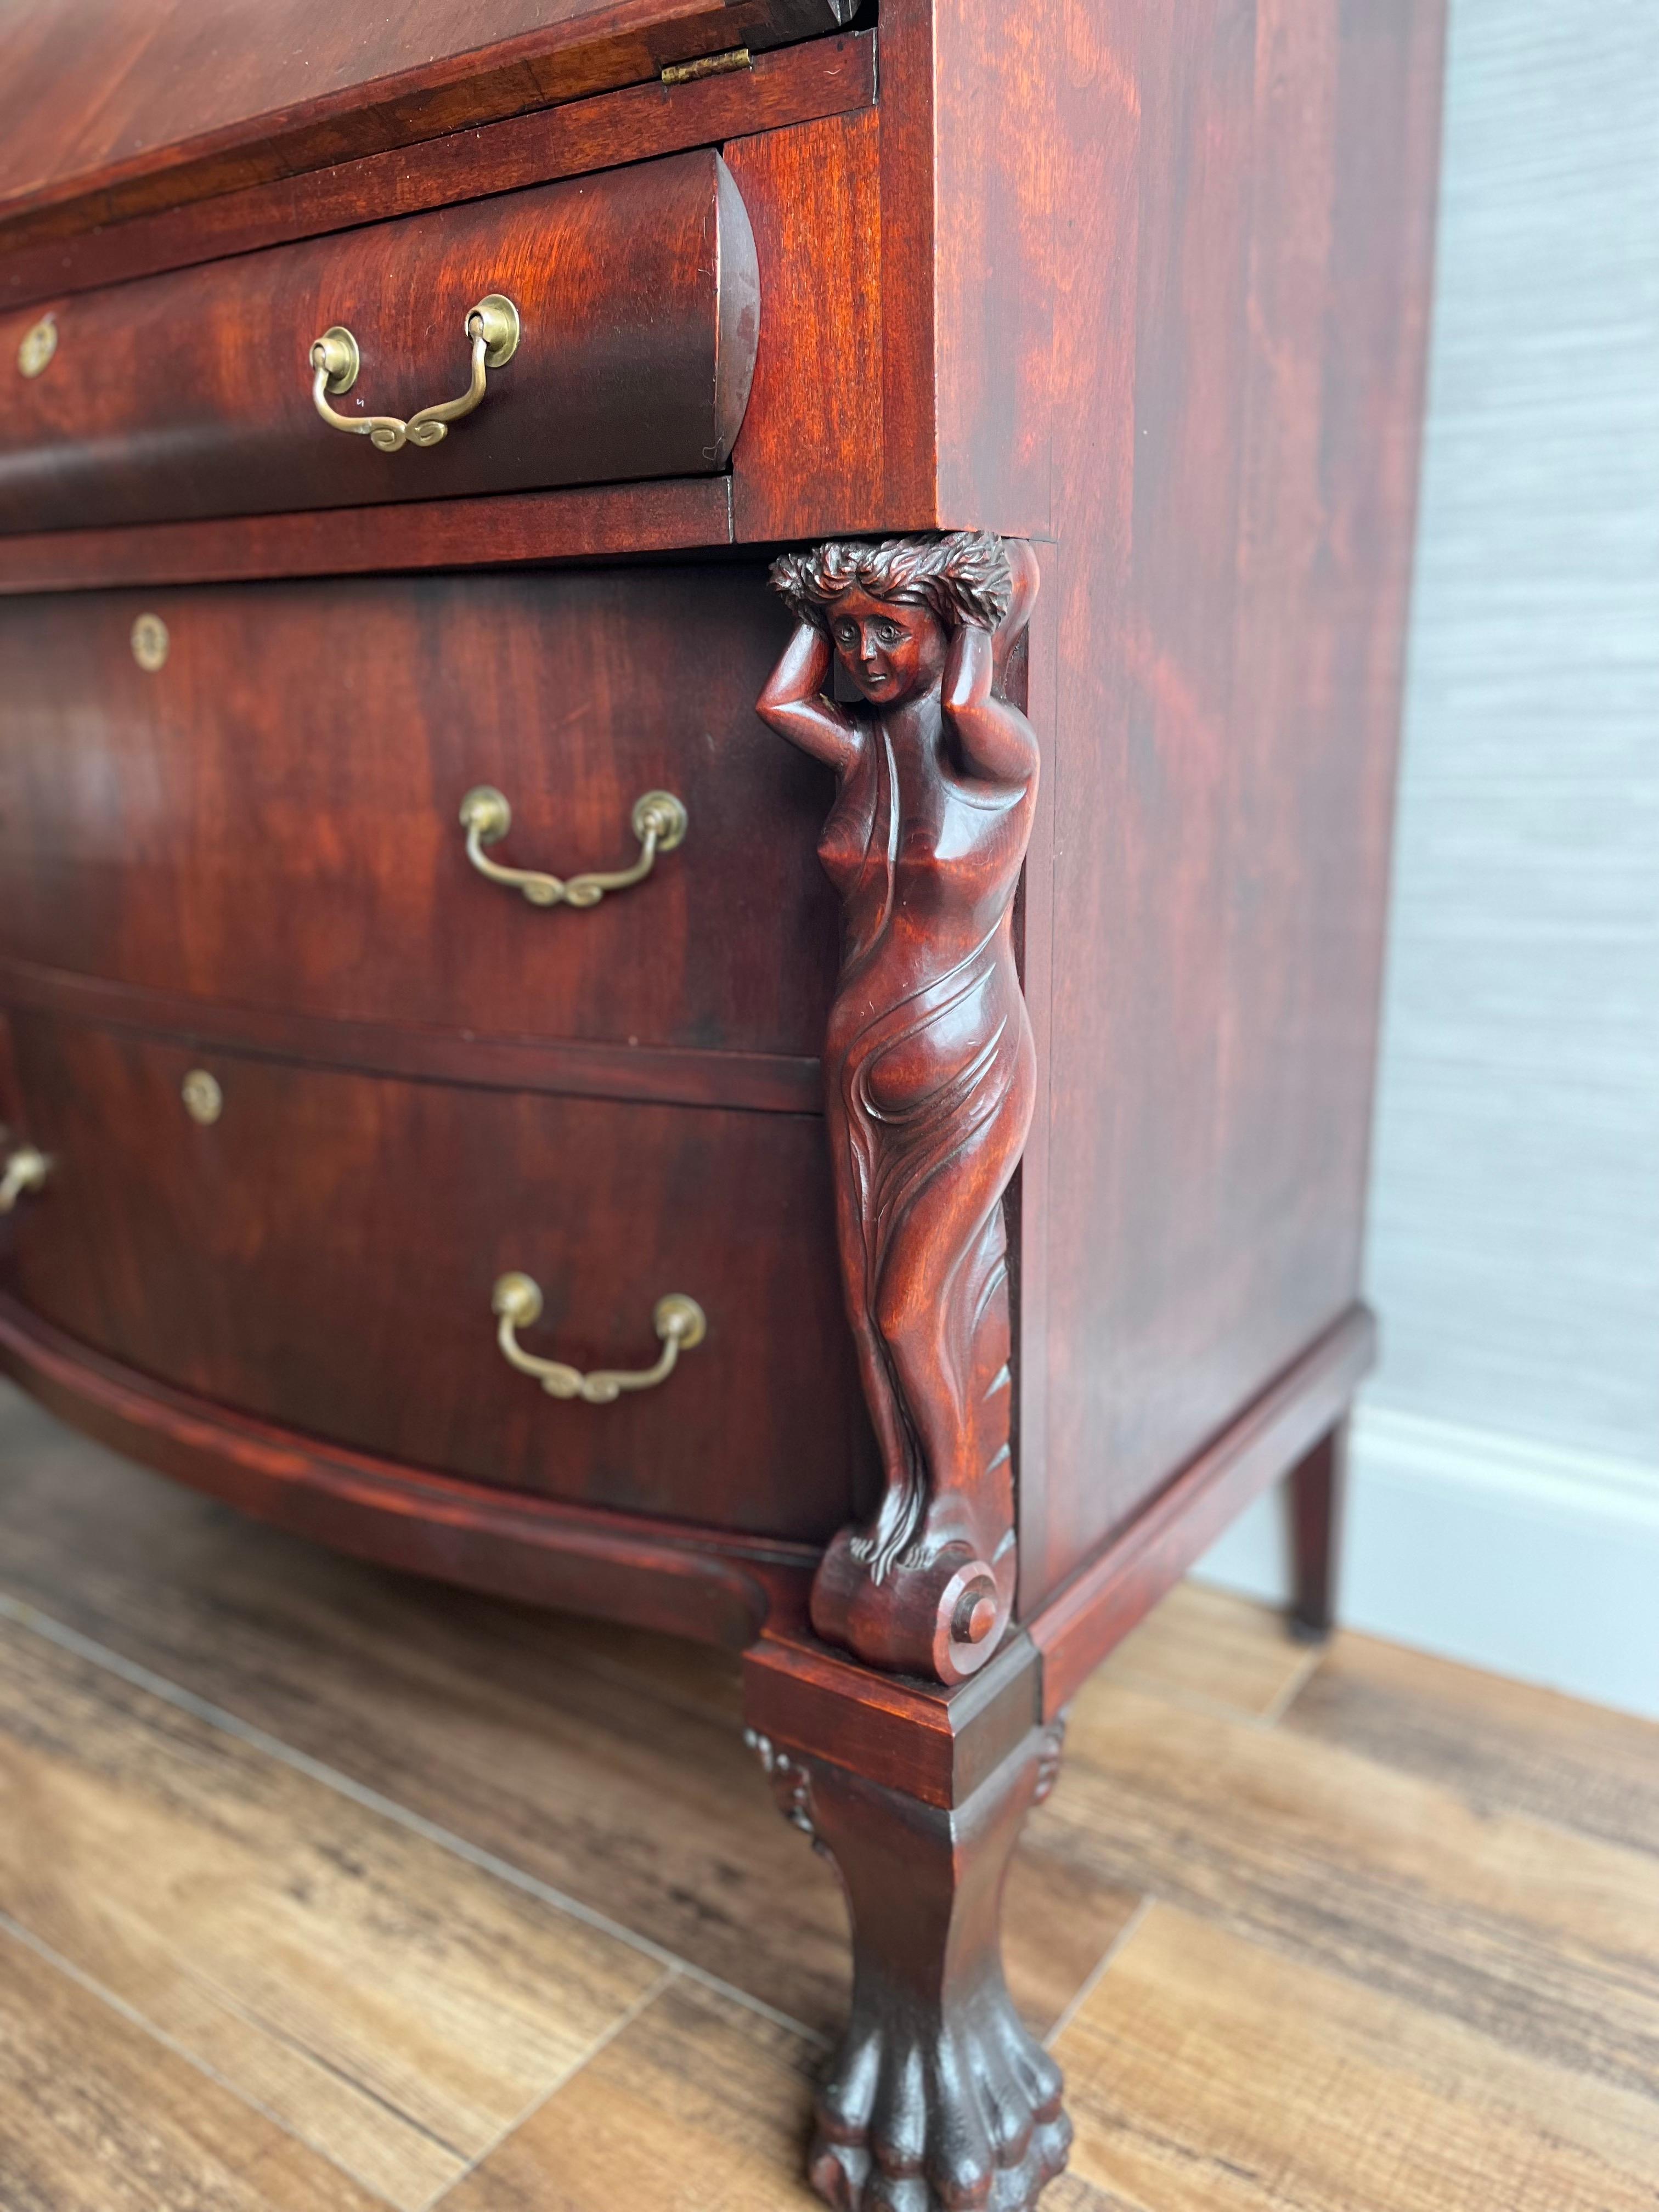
(324, 1255)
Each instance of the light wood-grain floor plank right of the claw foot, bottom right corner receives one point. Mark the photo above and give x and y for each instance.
(1213, 2076)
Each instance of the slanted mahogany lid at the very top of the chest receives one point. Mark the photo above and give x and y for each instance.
(118, 107)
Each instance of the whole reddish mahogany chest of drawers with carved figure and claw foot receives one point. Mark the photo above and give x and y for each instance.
(698, 711)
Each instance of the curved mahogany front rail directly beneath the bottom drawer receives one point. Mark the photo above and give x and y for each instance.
(539, 1552)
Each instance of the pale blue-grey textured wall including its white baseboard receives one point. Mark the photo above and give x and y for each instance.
(1507, 1457)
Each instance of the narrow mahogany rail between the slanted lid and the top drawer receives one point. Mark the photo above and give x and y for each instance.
(791, 85)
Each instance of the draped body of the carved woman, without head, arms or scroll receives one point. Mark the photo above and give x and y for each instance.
(930, 1081)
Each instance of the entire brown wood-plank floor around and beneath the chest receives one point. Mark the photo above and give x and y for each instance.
(328, 1890)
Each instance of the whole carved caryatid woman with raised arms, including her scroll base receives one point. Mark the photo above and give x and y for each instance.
(930, 1070)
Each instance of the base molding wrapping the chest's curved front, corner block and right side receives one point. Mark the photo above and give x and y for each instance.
(744, 1594)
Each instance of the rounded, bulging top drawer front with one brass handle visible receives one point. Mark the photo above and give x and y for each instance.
(191, 395)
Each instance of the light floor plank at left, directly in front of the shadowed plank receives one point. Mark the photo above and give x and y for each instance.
(390, 2005)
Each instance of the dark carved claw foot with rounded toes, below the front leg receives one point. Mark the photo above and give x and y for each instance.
(937, 2118)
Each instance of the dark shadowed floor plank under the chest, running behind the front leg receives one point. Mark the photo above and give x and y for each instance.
(627, 1788)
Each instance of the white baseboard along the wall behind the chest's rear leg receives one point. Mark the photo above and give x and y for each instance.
(1492, 1550)
